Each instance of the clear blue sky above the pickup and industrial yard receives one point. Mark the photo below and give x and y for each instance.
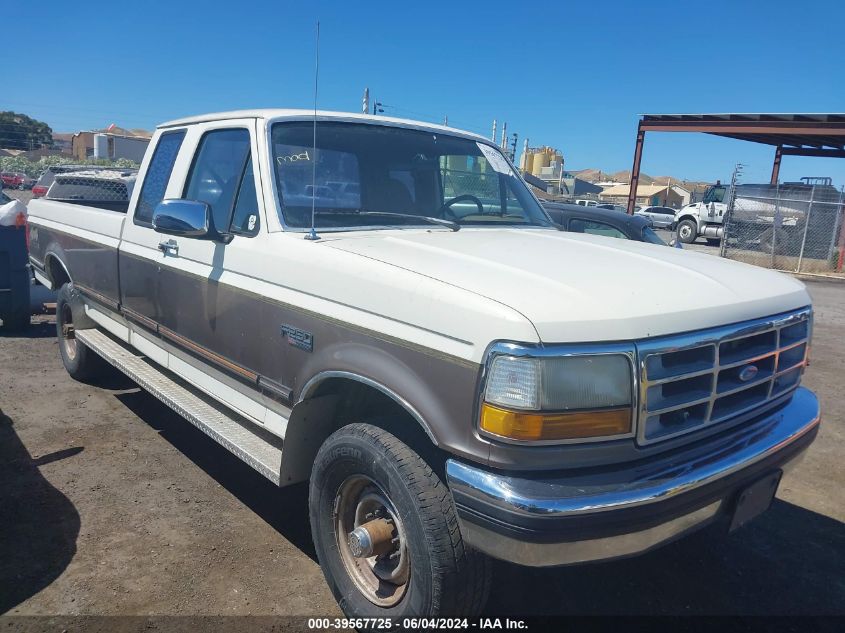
(573, 75)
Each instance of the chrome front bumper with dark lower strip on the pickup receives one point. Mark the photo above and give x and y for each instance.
(621, 510)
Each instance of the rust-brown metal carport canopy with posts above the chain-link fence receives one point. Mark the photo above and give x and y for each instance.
(806, 134)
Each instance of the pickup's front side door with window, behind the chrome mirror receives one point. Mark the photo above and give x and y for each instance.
(206, 303)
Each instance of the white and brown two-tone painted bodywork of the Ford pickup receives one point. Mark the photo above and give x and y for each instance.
(412, 313)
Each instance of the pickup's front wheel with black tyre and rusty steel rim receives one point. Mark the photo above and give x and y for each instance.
(386, 533)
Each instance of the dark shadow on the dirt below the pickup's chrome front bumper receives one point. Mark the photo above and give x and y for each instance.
(787, 562)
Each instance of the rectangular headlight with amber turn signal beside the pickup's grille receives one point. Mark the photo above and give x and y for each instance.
(562, 398)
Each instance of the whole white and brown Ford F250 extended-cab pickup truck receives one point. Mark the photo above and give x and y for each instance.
(382, 309)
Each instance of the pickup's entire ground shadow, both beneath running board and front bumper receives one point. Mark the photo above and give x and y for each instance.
(789, 561)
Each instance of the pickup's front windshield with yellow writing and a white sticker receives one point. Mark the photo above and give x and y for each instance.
(373, 176)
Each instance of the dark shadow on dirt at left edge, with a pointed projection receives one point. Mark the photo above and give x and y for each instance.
(38, 524)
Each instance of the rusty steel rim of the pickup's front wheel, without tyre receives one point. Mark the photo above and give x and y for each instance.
(383, 579)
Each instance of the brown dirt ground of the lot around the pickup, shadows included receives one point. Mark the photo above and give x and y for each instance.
(111, 504)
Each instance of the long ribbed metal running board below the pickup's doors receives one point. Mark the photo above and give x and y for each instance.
(241, 437)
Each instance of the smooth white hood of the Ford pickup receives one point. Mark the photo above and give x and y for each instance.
(580, 288)
